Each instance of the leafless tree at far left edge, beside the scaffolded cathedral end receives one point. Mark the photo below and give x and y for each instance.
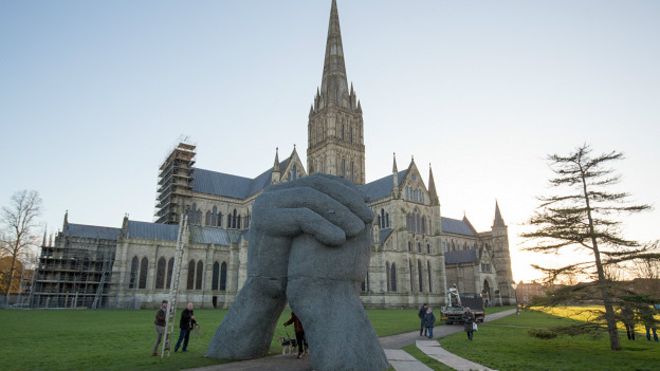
(18, 222)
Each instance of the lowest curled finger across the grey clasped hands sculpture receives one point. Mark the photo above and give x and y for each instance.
(292, 222)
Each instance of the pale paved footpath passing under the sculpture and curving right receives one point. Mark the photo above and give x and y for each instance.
(400, 360)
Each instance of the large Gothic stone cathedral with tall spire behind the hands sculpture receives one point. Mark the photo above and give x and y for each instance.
(416, 253)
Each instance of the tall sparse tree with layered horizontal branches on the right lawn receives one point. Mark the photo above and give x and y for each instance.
(583, 216)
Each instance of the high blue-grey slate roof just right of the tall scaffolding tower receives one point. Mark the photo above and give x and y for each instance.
(232, 186)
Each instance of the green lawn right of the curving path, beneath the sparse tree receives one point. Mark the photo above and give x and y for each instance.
(505, 345)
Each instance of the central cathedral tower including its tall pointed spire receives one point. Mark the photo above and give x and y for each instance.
(335, 128)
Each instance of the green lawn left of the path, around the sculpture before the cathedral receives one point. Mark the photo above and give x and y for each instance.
(122, 340)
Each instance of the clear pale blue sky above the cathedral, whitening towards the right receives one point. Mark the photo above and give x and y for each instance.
(94, 94)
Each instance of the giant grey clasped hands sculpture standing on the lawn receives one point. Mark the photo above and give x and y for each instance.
(309, 243)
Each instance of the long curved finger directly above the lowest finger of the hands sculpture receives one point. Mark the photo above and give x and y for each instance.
(323, 205)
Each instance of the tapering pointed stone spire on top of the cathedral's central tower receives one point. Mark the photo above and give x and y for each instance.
(334, 86)
